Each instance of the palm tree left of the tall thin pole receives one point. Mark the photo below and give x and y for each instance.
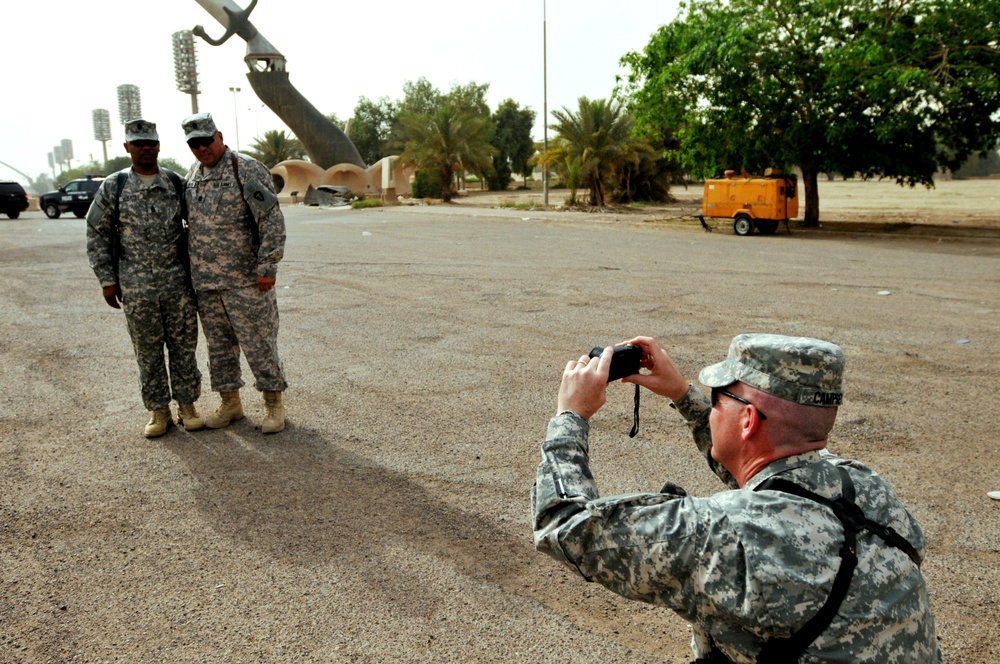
(449, 142)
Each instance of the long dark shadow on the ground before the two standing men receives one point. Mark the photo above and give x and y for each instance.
(300, 497)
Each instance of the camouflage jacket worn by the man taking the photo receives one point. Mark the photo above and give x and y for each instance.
(742, 566)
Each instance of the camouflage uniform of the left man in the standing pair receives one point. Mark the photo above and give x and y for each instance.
(159, 304)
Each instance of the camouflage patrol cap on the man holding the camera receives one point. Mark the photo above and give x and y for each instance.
(806, 371)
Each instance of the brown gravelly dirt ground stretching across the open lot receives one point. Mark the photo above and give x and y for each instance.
(423, 347)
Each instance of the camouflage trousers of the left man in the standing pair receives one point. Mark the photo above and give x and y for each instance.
(170, 322)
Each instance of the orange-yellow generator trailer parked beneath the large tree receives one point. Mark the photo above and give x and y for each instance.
(751, 202)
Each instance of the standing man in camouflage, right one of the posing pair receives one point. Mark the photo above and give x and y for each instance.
(237, 238)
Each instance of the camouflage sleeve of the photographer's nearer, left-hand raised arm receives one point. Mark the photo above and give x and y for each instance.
(641, 546)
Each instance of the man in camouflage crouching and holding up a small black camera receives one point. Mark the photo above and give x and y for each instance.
(808, 557)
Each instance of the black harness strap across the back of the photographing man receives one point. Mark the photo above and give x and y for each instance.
(854, 521)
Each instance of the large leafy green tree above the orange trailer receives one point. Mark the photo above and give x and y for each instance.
(895, 88)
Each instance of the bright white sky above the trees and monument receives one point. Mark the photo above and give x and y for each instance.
(67, 58)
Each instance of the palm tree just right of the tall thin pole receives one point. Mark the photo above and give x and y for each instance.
(594, 142)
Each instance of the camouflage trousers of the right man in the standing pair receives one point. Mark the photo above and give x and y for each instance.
(247, 319)
